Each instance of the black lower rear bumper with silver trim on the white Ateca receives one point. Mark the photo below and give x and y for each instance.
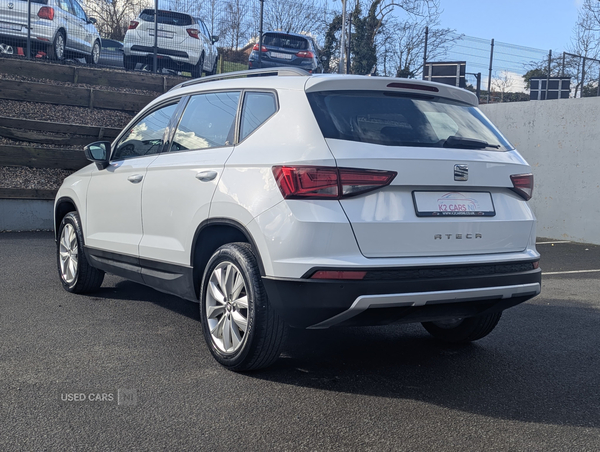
(309, 303)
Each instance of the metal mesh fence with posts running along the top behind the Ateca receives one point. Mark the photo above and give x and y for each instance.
(182, 38)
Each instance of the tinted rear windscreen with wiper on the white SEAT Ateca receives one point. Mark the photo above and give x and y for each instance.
(399, 119)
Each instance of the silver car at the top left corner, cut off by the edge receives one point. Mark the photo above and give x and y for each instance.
(58, 27)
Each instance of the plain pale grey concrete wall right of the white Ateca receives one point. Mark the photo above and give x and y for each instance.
(561, 141)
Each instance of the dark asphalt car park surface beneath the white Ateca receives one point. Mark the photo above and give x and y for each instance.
(531, 385)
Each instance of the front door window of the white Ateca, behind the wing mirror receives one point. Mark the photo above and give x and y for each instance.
(147, 136)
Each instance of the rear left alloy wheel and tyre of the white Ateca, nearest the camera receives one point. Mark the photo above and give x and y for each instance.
(239, 325)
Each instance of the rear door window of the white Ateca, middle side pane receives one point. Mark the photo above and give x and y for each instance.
(208, 122)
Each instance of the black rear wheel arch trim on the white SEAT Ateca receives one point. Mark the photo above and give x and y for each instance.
(212, 234)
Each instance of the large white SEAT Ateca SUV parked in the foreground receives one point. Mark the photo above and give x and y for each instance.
(307, 201)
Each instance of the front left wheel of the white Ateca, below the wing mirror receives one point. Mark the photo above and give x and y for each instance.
(76, 274)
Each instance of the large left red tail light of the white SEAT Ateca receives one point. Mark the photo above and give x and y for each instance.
(322, 182)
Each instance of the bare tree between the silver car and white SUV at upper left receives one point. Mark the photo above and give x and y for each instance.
(113, 16)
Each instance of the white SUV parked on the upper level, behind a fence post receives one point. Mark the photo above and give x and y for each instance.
(183, 42)
